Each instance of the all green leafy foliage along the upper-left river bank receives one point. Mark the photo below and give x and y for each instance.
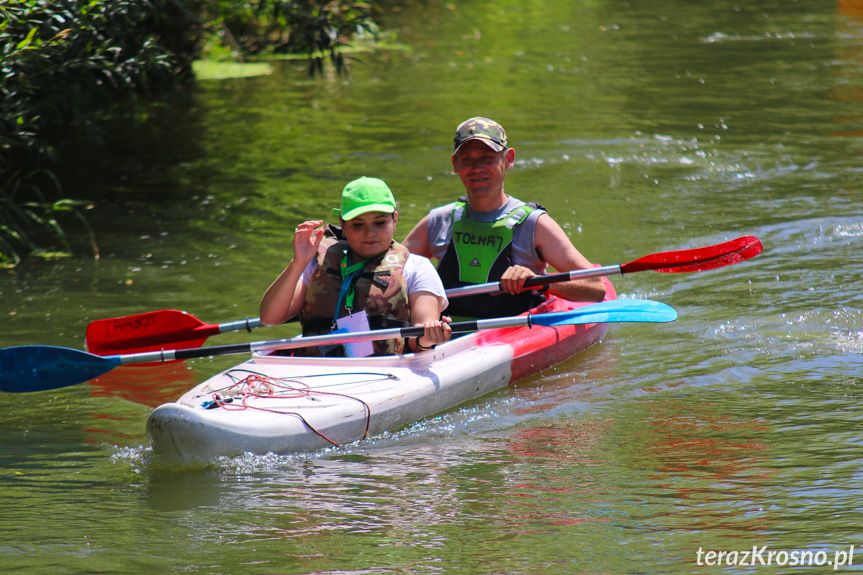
(71, 62)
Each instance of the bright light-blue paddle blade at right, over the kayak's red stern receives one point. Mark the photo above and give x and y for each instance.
(637, 310)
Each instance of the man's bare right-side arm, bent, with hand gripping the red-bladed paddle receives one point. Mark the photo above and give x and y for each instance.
(552, 243)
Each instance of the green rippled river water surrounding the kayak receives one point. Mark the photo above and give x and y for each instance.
(642, 127)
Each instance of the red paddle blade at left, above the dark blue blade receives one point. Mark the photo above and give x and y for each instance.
(152, 331)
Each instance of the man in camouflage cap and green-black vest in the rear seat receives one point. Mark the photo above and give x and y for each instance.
(488, 235)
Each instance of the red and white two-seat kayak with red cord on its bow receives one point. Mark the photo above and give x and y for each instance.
(281, 404)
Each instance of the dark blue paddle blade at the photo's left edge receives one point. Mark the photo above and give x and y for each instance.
(41, 367)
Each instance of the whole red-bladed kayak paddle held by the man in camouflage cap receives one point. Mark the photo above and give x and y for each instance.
(153, 330)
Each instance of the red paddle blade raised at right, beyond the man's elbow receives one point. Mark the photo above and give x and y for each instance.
(698, 259)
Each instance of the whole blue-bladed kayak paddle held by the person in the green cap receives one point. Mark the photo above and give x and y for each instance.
(38, 368)
